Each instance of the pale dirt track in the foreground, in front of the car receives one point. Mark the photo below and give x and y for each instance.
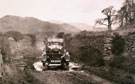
(67, 77)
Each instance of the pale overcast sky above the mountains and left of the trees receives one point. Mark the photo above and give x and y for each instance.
(84, 11)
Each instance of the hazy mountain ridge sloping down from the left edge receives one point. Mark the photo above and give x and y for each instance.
(33, 25)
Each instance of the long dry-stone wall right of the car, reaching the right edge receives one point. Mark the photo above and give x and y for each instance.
(102, 42)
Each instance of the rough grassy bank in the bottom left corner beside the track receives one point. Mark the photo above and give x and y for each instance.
(15, 76)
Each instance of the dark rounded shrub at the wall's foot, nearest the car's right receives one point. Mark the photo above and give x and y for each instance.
(91, 56)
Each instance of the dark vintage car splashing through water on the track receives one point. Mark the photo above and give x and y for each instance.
(55, 55)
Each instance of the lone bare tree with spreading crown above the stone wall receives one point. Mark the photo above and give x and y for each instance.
(109, 19)
